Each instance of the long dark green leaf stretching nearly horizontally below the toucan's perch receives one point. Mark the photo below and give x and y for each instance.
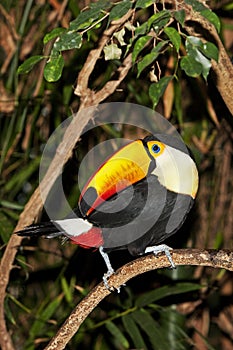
(162, 292)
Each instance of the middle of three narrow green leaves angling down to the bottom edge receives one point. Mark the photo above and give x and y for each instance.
(134, 332)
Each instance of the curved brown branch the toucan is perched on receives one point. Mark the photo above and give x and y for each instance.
(210, 257)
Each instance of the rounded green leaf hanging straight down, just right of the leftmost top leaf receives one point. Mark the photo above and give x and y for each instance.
(53, 68)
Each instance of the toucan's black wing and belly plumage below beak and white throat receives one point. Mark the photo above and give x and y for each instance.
(142, 215)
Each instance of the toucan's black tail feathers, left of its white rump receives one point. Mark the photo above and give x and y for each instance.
(46, 229)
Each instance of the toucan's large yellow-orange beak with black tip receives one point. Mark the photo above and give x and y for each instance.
(124, 168)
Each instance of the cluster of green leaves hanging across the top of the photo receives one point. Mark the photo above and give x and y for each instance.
(163, 31)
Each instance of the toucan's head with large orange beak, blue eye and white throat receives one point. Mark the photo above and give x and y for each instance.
(163, 156)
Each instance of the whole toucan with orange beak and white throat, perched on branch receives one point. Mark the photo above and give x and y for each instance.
(135, 200)
